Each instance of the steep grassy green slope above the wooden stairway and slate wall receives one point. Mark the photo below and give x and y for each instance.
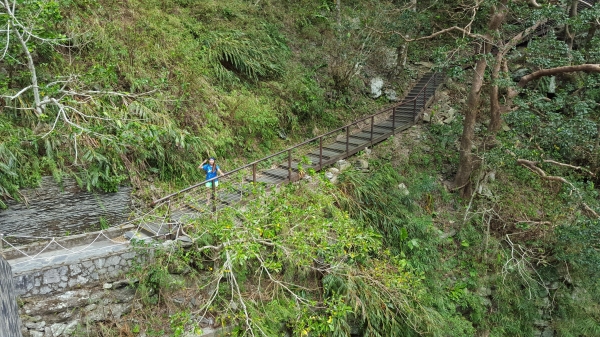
(145, 89)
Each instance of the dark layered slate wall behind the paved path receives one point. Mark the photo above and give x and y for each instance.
(54, 210)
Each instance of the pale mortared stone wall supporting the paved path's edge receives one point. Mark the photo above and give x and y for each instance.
(59, 278)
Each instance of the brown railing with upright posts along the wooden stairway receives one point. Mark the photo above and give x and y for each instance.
(297, 153)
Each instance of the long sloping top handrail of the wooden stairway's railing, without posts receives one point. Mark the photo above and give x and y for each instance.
(413, 100)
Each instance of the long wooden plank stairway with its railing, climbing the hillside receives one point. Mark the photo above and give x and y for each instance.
(192, 202)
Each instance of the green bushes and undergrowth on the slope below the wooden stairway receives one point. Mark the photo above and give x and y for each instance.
(368, 257)
